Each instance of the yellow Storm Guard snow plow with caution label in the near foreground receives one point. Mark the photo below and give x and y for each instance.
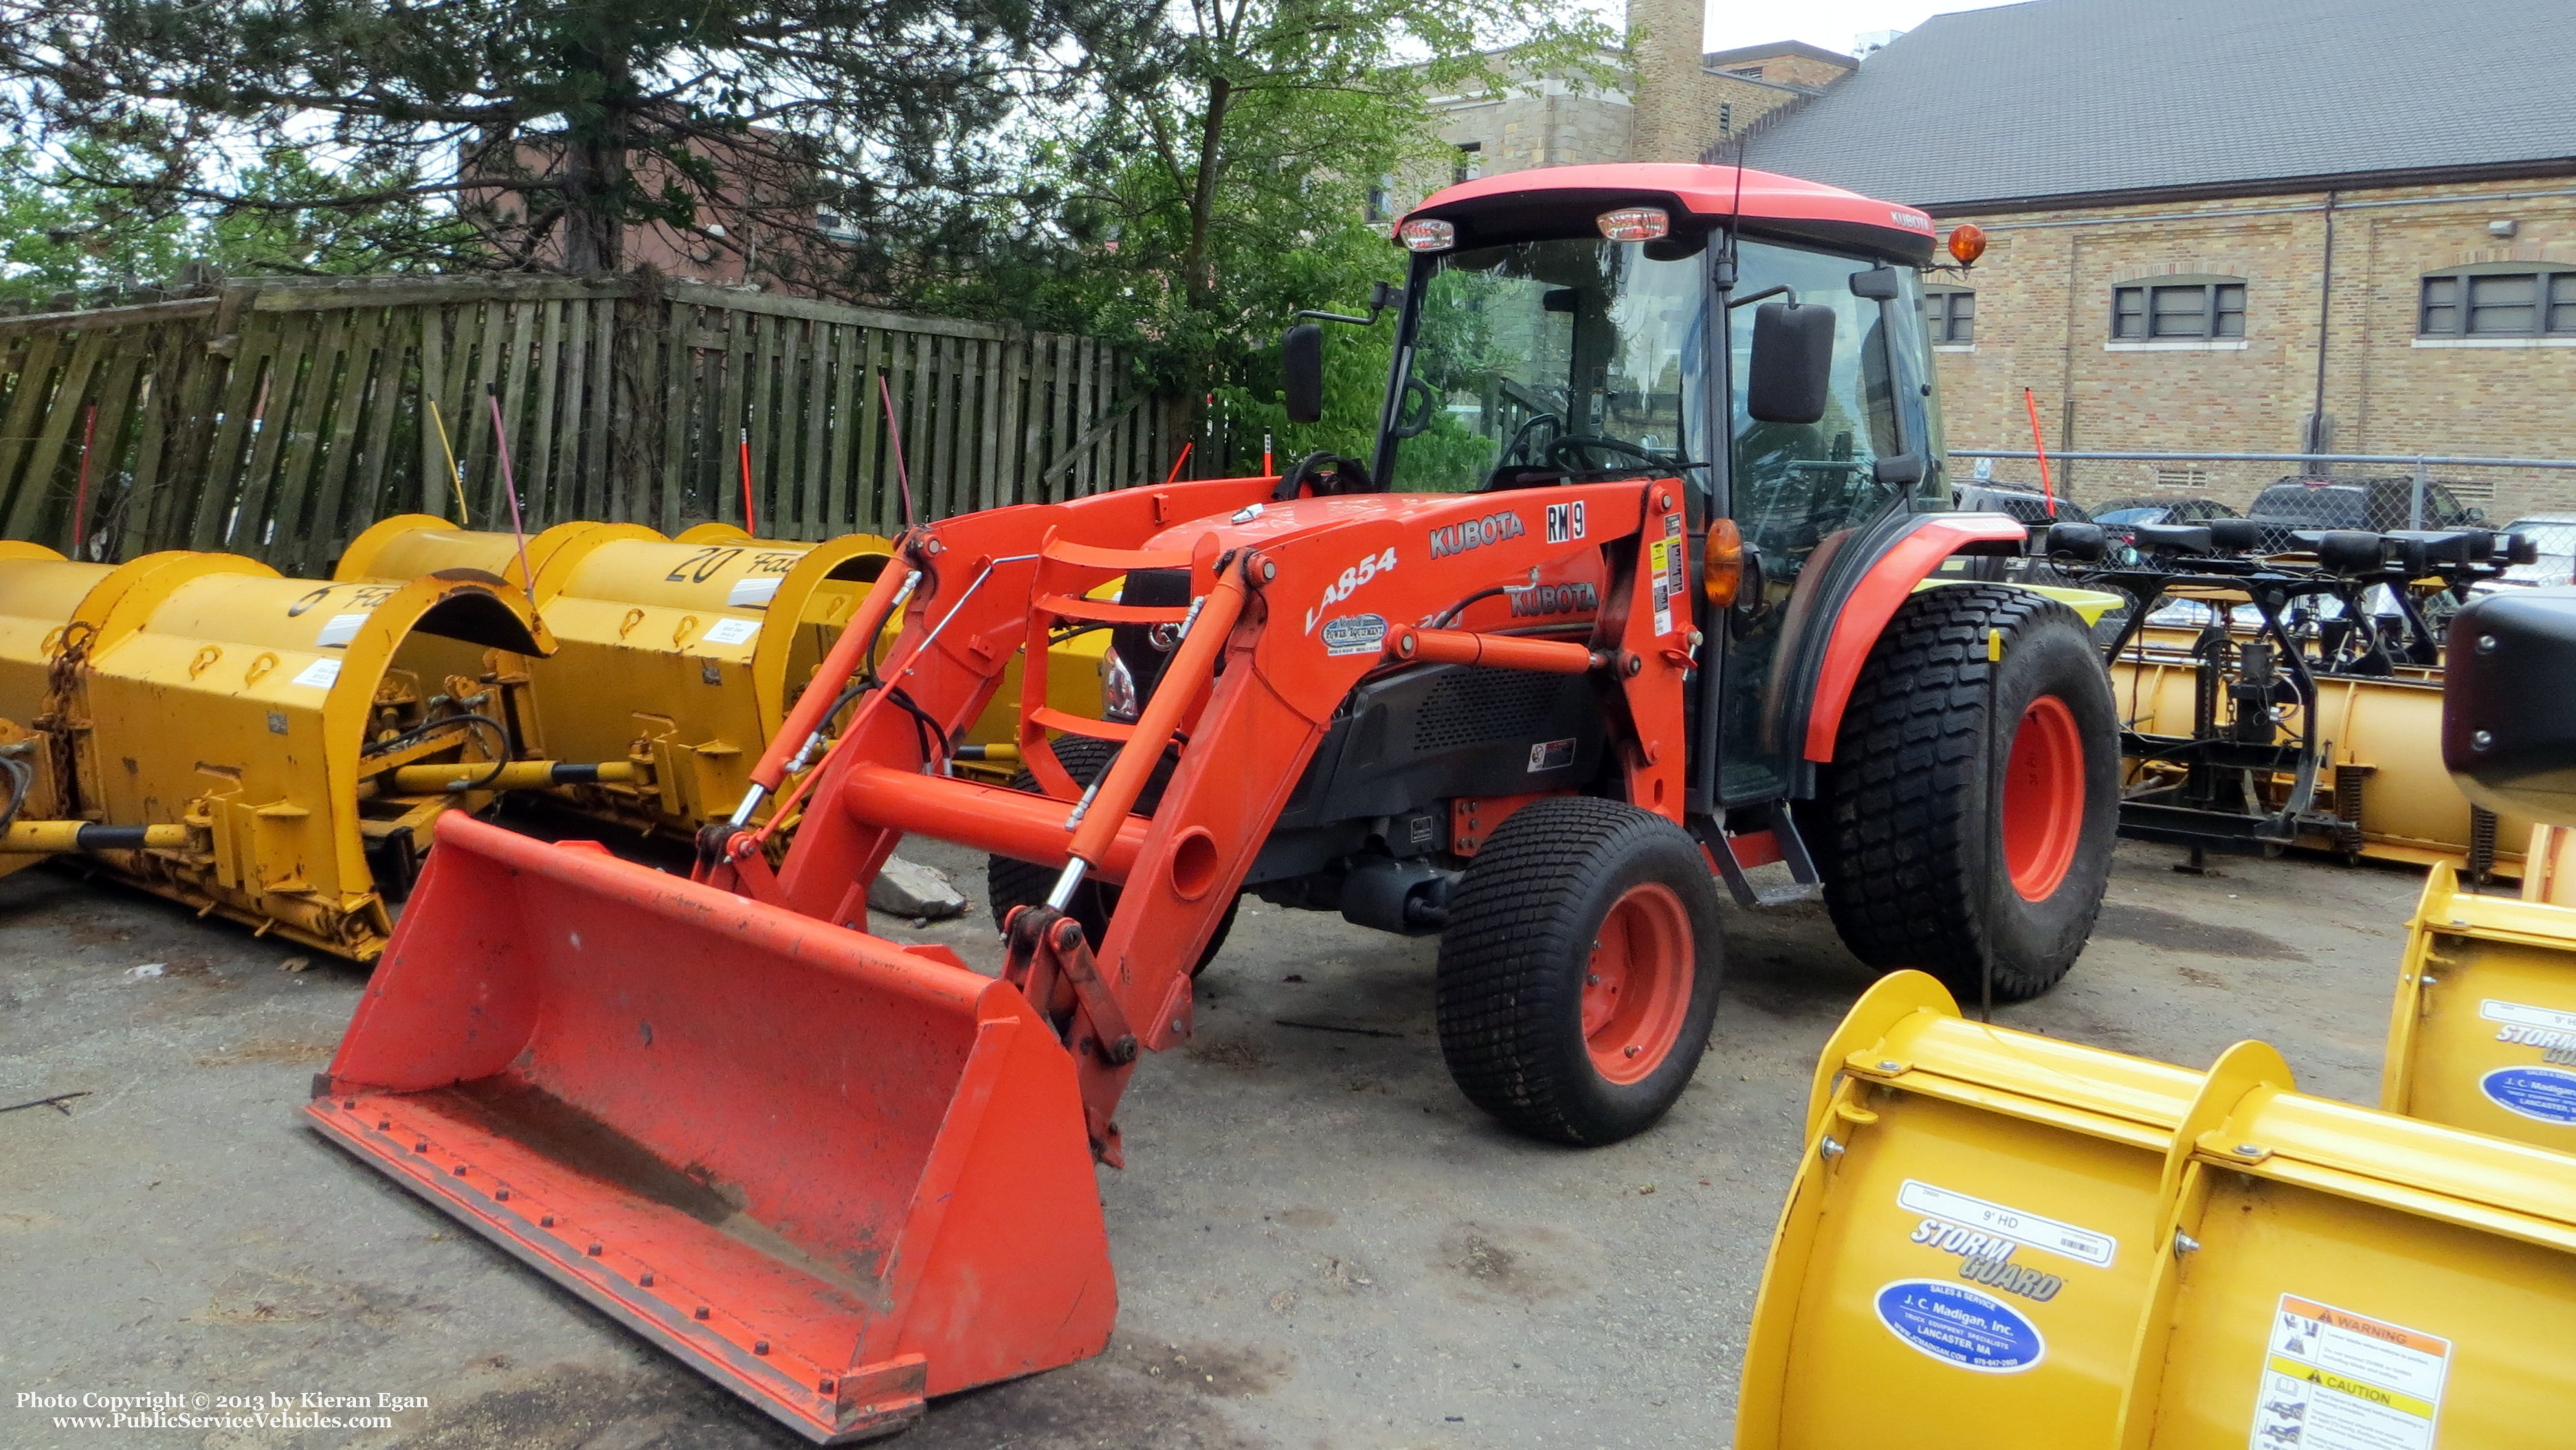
(2013, 1243)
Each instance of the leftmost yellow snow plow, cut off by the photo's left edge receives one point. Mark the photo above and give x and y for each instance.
(251, 746)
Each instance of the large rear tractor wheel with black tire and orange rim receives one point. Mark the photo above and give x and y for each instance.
(1972, 805)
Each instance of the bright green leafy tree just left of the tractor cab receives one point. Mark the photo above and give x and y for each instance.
(1227, 182)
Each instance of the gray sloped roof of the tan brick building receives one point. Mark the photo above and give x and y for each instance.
(2060, 99)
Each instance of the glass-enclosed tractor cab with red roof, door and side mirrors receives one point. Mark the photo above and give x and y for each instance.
(1557, 328)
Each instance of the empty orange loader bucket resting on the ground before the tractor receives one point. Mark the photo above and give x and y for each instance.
(831, 1173)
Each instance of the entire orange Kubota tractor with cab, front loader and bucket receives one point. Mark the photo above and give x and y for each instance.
(1632, 599)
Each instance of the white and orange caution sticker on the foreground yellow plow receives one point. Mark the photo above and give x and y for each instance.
(2345, 1382)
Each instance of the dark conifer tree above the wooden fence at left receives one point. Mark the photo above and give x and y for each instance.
(550, 130)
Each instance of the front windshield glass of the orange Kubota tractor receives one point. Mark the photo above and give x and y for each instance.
(1573, 357)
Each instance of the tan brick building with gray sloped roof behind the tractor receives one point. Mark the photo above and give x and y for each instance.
(2217, 225)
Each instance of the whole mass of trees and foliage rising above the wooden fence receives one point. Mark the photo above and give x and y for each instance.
(1179, 179)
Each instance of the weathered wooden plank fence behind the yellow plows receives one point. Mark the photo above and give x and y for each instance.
(279, 419)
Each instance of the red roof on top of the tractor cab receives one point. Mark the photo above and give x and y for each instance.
(1557, 202)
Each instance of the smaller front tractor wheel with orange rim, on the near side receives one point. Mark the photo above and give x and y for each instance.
(1580, 970)
